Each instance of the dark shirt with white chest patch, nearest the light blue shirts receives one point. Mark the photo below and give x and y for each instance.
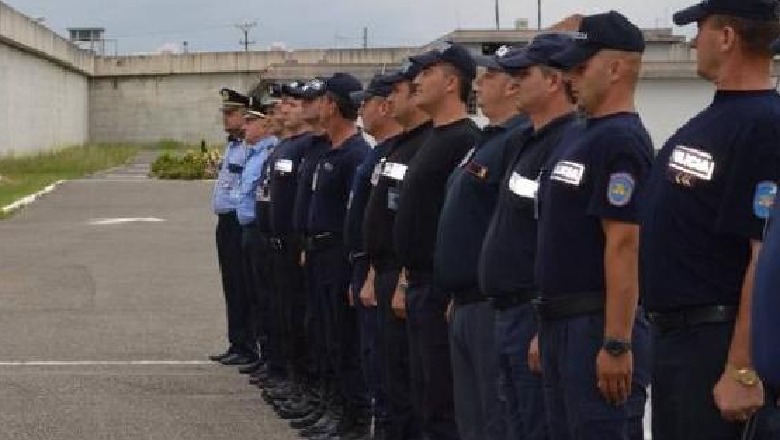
(283, 181)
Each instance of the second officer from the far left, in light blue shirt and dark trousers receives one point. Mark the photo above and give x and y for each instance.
(258, 143)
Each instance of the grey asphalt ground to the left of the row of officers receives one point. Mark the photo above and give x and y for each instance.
(118, 293)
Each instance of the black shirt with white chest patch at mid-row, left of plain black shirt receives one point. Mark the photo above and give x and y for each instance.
(383, 201)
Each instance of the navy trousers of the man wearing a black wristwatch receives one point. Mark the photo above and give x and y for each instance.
(576, 410)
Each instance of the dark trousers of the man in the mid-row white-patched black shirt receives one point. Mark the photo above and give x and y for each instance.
(403, 422)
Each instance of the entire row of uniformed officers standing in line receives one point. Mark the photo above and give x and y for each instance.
(529, 280)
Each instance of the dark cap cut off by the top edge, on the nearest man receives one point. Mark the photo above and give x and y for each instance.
(760, 10)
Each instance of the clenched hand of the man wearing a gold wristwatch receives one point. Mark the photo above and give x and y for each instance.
(736, 401)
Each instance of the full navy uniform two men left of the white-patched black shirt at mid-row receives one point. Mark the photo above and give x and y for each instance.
(331, 271)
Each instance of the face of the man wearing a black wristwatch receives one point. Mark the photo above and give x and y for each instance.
(590, 82)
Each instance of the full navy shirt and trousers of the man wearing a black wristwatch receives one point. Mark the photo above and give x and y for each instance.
(596, 174)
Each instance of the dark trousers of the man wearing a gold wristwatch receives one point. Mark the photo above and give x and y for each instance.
(687, 364)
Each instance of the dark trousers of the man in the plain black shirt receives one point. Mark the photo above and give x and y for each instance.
(429, 360)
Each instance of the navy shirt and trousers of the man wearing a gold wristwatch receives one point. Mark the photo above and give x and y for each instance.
(710, 194)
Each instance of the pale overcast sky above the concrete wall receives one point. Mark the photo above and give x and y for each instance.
(208, 25)
